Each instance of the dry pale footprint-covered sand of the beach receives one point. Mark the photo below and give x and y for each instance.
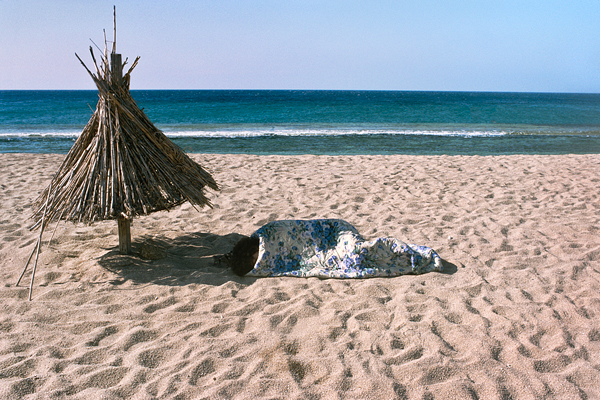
(516, 315)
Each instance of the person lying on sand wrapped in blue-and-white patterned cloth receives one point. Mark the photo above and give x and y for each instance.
(326, 248)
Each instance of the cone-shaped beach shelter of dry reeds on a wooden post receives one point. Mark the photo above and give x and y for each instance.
(121, 166)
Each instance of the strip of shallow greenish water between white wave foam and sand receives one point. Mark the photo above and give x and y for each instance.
(434, 143)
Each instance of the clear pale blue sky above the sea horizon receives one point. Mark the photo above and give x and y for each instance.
(465, 45)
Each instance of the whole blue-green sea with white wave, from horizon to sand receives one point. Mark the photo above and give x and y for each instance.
(291, 122)
